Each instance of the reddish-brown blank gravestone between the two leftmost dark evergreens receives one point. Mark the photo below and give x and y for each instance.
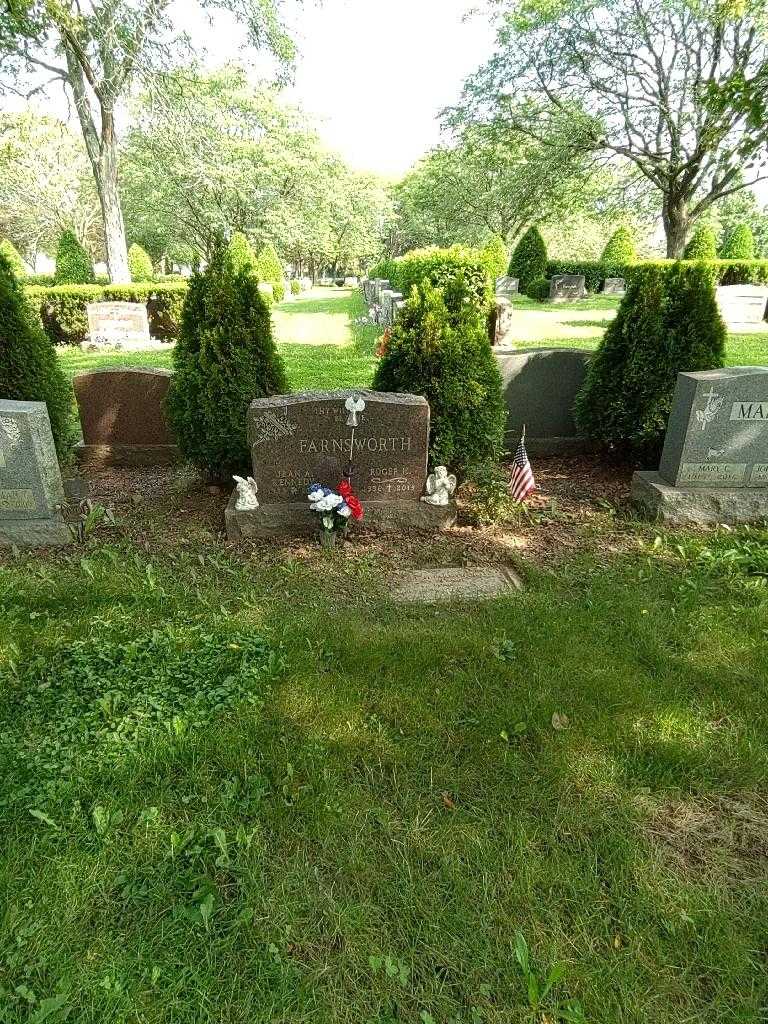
(122, 413)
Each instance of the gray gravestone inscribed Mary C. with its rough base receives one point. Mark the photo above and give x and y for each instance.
(715, 461)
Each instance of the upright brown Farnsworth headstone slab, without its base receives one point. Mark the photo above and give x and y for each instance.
(306, 439)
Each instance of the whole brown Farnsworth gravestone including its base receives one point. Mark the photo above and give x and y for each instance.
(307, 439)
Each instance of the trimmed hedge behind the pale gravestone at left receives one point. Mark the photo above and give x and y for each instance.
(64, 314)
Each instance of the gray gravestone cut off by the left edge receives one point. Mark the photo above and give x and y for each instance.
(31, 490)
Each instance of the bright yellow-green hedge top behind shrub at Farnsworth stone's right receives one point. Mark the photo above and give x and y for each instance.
(439, 268)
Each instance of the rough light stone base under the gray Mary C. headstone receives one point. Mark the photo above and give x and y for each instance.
(658, 500)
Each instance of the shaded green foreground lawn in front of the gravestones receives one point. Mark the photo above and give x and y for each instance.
(248, 789)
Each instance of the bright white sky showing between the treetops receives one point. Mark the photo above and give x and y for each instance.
(375, 75)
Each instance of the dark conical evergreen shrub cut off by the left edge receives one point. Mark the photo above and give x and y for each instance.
(29, 368)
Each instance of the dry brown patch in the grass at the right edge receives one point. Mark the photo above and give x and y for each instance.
(722, 837)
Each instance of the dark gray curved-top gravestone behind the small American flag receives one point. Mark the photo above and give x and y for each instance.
(540, 389)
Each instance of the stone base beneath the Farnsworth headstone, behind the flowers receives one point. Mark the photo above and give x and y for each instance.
(297, 519)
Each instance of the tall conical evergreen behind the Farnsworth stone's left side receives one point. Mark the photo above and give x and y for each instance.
(225, 359)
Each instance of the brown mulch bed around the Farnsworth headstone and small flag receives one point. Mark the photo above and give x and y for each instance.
(582, 504)
